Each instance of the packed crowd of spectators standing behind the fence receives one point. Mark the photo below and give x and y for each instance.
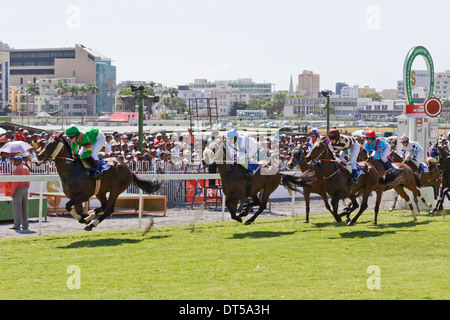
(178, 151)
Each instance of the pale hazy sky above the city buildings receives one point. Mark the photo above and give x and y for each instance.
(173, 42)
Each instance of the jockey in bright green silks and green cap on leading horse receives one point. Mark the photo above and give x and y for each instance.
(91, 142)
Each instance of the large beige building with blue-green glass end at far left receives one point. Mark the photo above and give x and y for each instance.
(80, 63)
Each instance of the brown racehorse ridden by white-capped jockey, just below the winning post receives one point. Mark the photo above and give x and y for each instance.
(425, 179)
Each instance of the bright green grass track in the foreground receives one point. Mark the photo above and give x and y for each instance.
(271, 259)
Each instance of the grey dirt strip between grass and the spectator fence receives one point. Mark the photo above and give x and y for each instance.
(174, 216)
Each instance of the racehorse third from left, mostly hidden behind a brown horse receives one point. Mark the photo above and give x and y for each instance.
(317, 186)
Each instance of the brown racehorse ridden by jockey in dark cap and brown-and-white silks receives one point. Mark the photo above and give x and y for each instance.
(338, 183)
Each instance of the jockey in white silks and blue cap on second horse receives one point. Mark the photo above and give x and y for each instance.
(242, 149)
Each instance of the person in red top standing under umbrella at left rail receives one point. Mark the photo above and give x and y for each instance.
(19, 194)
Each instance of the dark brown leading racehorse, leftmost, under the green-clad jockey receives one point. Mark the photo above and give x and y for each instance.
(79, 186)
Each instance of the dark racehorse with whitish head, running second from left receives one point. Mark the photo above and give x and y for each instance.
(236, 186)
